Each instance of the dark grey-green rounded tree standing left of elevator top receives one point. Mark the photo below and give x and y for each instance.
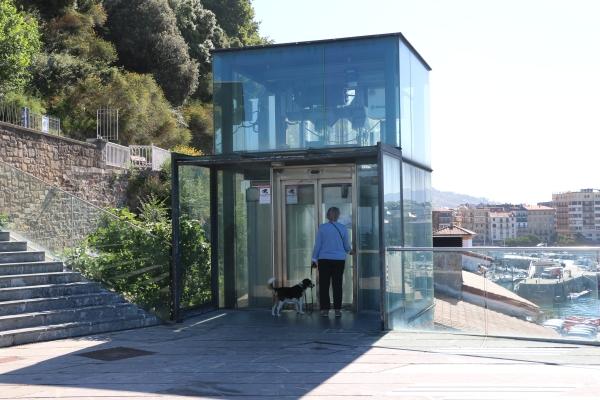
(148, 41)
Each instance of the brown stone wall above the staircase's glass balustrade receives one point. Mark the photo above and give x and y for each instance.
(75, 167)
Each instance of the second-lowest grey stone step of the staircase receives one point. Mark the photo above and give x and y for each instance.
(54, 317)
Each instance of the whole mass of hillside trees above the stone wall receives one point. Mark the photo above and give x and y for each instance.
(148, 58)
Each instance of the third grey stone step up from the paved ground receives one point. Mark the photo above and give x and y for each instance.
(56, 303)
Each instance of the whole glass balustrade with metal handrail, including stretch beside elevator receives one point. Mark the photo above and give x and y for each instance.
(540, 292)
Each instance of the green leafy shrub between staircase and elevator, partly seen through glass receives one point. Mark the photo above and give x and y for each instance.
(131, 255)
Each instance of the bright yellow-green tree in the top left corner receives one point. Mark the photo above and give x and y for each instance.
(19, 43)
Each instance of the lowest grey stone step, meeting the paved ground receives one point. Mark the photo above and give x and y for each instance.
(73, 329)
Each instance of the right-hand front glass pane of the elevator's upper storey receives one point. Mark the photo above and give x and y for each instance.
(361, 79)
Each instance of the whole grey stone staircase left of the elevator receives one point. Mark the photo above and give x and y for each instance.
(41, 300)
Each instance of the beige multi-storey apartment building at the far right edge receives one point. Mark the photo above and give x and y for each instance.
(578, 213)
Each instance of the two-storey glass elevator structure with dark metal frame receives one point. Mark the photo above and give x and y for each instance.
(299, 128)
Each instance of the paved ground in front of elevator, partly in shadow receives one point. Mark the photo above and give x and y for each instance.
(250, 354)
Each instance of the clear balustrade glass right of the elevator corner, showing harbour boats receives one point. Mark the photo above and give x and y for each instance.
(549, 293)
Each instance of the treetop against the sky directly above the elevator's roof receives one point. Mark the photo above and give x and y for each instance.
(236, 17)
